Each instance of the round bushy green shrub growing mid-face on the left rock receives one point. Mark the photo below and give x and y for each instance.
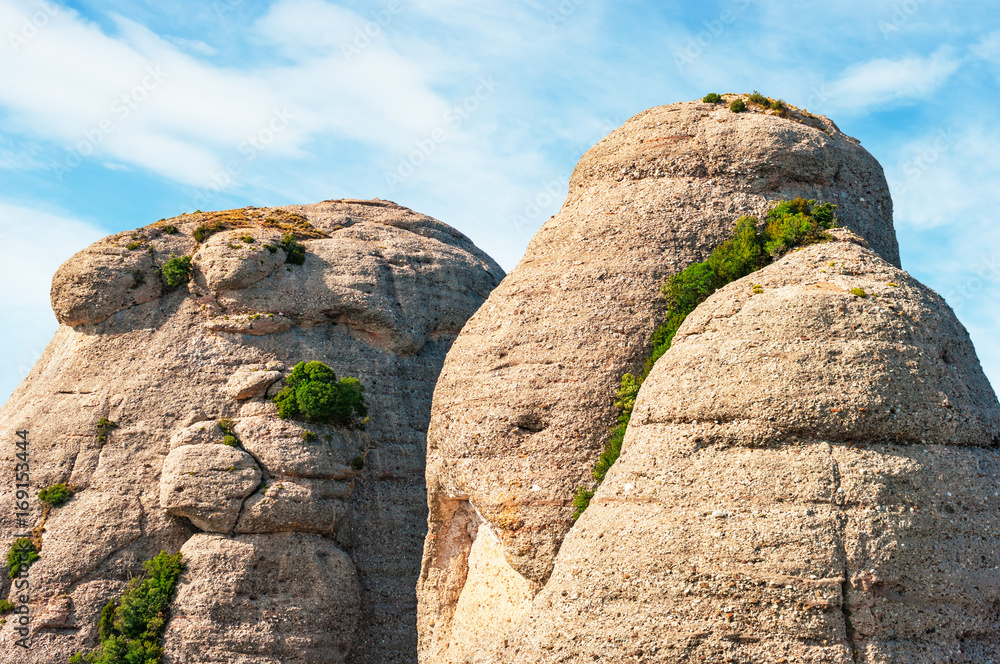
(312, 392)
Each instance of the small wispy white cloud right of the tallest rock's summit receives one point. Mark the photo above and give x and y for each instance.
(883, 81)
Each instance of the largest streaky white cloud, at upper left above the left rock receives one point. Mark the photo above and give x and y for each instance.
(141, 100)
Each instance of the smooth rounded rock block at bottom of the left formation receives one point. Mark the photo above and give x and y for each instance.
(281, 599)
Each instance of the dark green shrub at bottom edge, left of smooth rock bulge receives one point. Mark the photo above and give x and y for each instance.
(131, 630)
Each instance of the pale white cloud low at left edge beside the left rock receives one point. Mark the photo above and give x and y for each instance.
(33, 244)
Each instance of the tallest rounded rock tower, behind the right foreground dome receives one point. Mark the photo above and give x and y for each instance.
(525, 401)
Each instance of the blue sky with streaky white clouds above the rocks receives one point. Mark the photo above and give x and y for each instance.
(115, 114)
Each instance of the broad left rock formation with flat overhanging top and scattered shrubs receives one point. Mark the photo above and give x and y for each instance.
(302, 540)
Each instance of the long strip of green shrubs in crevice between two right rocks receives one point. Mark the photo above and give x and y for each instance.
(753, 245)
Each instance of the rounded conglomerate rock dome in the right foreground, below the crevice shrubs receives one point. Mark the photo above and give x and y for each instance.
(846, 512)
